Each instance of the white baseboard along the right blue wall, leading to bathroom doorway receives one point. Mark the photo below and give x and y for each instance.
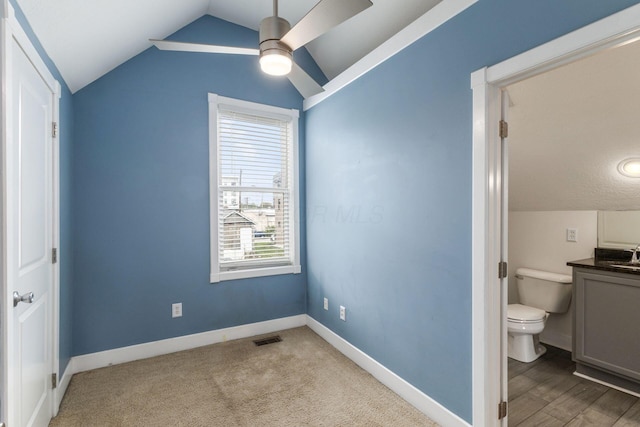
(415, 397)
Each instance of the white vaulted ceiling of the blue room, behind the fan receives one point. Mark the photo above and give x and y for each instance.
(87, 39)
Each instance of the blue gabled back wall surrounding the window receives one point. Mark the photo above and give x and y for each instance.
(142, 196)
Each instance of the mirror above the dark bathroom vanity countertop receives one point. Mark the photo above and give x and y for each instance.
(618, 229)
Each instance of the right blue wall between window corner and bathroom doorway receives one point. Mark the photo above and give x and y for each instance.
(389, 193)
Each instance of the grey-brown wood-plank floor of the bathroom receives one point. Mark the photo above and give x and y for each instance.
(546, 393)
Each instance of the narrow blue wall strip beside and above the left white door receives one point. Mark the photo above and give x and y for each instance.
(66, 212)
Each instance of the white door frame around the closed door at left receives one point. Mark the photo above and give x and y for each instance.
(10, 29)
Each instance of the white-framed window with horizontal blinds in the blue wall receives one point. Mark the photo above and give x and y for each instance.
(253, 164)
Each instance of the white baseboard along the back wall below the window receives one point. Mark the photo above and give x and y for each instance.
(157, 348)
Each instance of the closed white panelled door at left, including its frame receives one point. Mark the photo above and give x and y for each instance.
(29, 230)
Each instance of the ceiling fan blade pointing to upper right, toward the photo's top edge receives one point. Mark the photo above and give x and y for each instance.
(324, 16)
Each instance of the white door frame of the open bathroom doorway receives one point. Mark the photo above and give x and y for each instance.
(488, 308)
